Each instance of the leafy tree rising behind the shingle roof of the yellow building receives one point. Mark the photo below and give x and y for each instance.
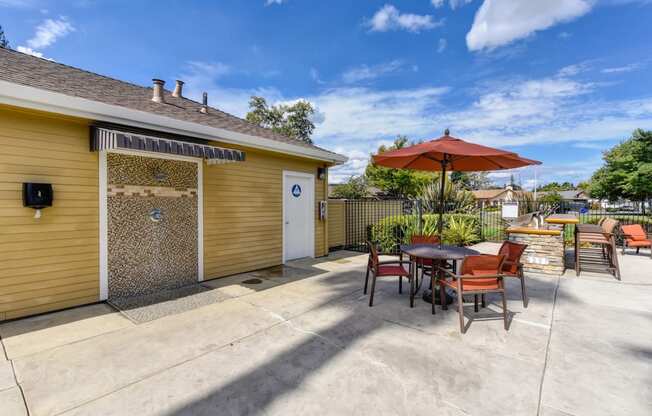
(291, 120)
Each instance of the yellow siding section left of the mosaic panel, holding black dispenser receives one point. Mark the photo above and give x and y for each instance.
(51, 263)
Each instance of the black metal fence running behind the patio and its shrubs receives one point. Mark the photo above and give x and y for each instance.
(391, 222)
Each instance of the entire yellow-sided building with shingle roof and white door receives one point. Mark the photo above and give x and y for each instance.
(151, 190)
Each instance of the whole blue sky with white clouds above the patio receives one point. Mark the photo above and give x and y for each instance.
(555, 80)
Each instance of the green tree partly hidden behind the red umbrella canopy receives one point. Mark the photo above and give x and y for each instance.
(397, 183)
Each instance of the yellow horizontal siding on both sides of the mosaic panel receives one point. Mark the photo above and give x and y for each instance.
(53, 263)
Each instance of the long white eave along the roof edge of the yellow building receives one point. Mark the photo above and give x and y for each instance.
(38, 99)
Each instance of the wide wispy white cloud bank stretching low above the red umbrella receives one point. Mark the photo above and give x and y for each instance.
(556, 110)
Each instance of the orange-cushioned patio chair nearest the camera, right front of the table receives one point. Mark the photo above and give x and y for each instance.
(480, 274)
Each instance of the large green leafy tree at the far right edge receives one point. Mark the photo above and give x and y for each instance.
(627, 170)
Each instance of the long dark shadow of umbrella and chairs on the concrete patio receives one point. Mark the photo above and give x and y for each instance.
(254, 391)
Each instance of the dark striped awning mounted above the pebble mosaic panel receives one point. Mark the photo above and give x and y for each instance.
(108, 139)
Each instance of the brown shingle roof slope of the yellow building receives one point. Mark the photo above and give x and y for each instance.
(20, 68)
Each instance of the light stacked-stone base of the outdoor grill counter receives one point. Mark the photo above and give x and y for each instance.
(544, 254)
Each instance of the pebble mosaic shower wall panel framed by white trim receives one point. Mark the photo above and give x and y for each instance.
(152, 224)
